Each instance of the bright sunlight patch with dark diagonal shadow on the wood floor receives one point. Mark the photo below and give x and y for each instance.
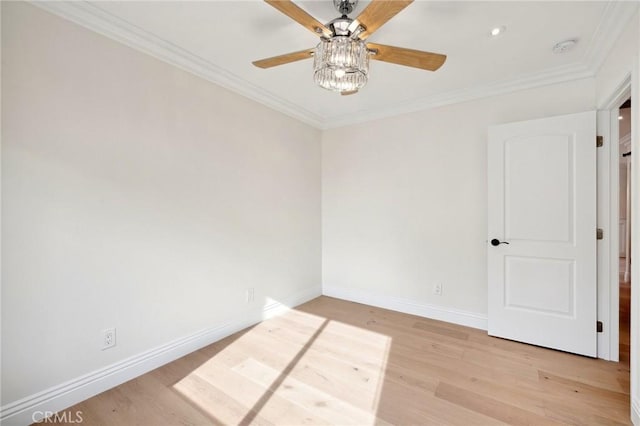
(293, 368)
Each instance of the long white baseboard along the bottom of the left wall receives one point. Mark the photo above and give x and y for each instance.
(33, 408)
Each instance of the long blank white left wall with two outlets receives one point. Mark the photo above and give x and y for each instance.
(137, 196)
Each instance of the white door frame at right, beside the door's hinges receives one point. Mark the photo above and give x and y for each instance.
(608, 158)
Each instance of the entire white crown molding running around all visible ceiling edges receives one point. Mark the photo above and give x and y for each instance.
(86, 14)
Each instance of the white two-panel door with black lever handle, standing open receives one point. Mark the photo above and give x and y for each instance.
(542, 232)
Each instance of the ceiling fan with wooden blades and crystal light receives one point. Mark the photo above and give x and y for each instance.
(341, 59)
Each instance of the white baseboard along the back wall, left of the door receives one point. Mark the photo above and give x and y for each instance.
(455, 316)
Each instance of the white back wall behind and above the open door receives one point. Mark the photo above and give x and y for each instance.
(404, 199)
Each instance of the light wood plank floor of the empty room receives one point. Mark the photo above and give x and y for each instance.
(336, 362)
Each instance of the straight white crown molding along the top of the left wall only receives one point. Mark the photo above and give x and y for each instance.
(93, 18)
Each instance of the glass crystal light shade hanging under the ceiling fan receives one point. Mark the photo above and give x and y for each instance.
(341, 64)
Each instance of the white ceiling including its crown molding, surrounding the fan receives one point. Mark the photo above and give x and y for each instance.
(218, 40)
